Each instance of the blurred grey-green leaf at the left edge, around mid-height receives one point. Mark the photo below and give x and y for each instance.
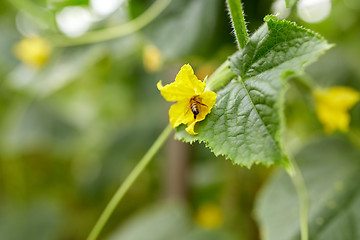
(38, 126)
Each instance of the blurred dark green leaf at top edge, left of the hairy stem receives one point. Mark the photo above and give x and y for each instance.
(195, 19)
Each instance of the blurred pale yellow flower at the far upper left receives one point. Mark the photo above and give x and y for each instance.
(33, 51)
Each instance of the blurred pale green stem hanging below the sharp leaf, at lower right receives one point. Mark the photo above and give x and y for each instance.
(301, 190)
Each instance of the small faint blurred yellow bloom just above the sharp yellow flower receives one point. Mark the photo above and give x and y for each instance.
(152, 58)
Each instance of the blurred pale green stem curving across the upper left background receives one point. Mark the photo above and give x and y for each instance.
(115, 32)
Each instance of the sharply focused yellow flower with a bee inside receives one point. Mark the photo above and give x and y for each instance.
(193, 102)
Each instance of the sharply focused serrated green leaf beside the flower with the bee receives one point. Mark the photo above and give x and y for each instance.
(245, 125)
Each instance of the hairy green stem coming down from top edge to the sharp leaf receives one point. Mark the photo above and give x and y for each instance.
(238, 22)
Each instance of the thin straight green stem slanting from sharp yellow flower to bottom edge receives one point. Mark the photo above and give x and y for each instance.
(124, 187)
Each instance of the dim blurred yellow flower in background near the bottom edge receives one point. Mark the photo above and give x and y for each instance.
(209, 216)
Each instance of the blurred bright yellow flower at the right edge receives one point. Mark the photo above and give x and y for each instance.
(332, 106)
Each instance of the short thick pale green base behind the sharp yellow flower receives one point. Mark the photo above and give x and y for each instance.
(220, 78)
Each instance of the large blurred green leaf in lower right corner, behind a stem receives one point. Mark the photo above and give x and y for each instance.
(331, 171)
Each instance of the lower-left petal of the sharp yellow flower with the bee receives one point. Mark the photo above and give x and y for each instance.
(180, 113)
